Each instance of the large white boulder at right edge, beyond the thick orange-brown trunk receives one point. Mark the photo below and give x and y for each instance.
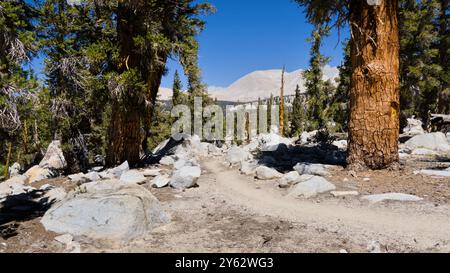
(433, 141)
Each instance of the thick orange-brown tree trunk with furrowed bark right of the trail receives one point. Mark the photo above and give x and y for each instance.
(374, 95)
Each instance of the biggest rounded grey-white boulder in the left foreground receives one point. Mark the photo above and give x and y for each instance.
(116, 213)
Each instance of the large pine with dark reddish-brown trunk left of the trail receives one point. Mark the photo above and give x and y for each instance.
(148, 32)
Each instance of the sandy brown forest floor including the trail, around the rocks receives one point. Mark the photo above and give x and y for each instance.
(230, 212)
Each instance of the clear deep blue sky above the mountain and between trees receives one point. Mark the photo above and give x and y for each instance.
(248, 35)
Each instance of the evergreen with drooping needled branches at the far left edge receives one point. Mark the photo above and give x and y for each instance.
(18, 86)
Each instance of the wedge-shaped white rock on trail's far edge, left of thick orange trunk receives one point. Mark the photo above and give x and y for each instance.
(312, 187)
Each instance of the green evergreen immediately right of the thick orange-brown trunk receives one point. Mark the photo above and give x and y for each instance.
(419, 66)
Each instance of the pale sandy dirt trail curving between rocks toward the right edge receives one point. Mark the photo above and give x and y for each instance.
(408, 224)
